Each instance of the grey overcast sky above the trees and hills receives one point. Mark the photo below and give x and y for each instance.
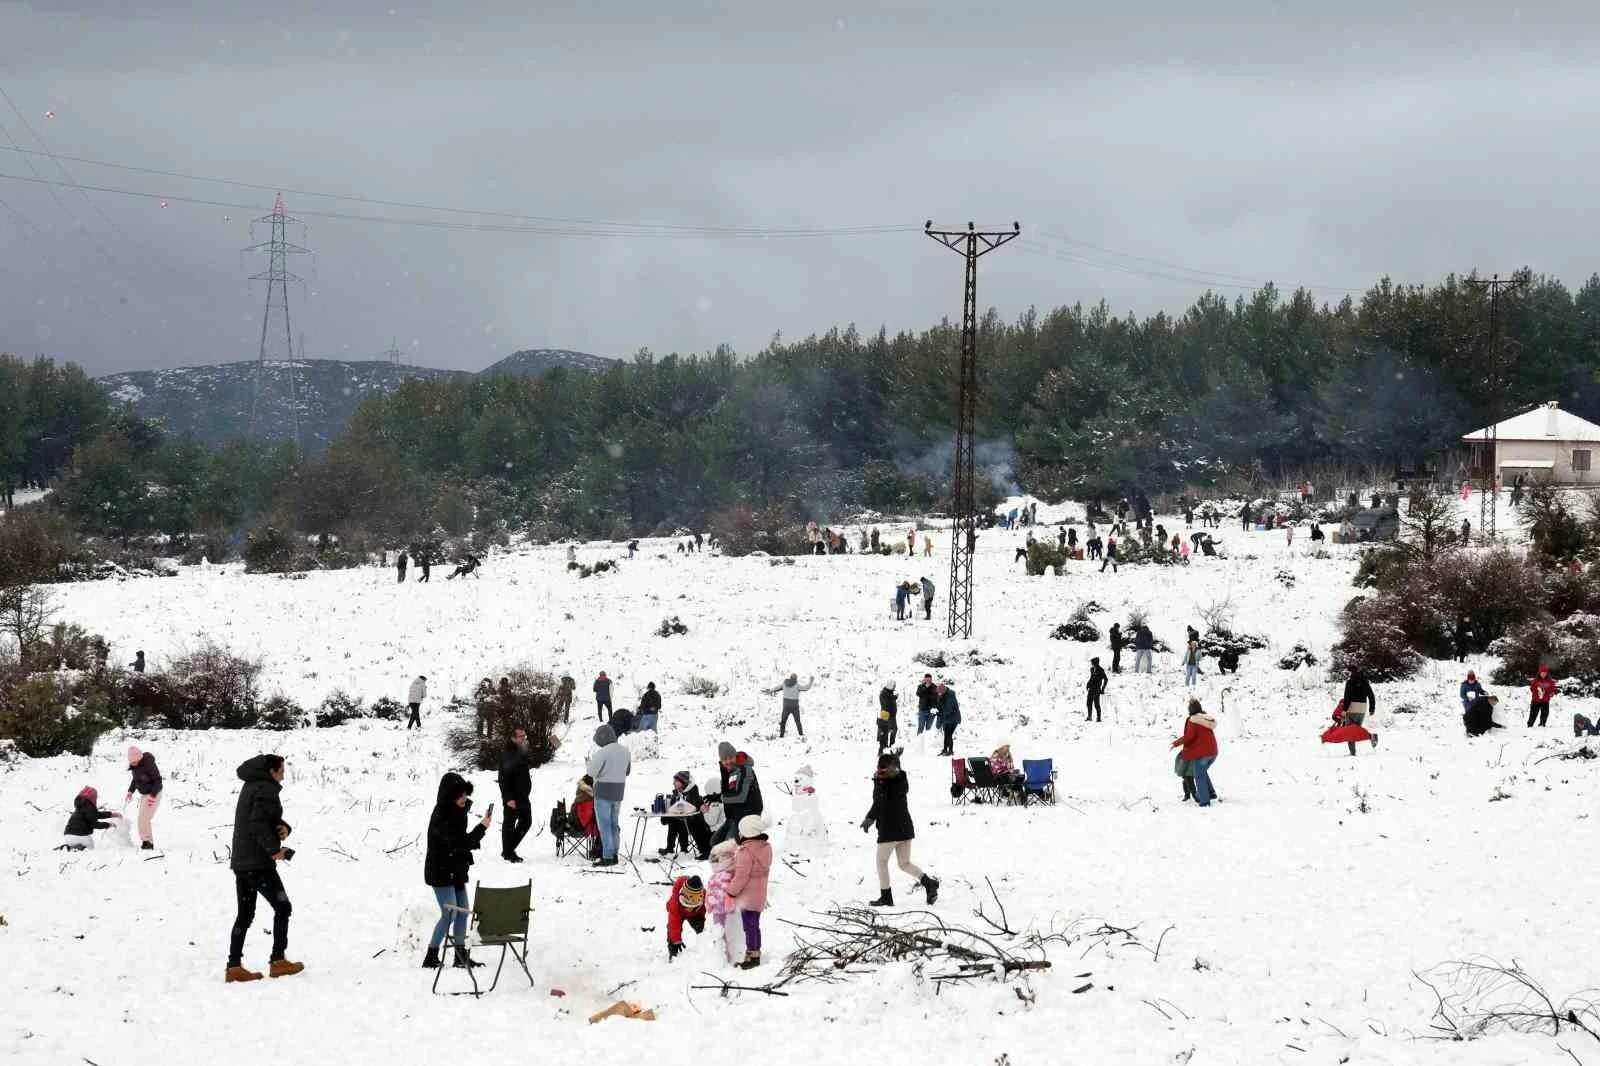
(1150, 151)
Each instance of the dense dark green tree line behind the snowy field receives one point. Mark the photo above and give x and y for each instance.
(1076, 403)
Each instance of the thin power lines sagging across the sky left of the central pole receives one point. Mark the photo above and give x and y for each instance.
(519, 218)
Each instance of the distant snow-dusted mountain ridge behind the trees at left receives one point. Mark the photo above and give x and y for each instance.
(215, 403)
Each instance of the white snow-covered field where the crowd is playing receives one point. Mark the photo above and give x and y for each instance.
(1294, 920)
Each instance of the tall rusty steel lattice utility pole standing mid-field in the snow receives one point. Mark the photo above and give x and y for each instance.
(974, 244)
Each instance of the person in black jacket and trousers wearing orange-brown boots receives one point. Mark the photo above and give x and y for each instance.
(260, 833)
